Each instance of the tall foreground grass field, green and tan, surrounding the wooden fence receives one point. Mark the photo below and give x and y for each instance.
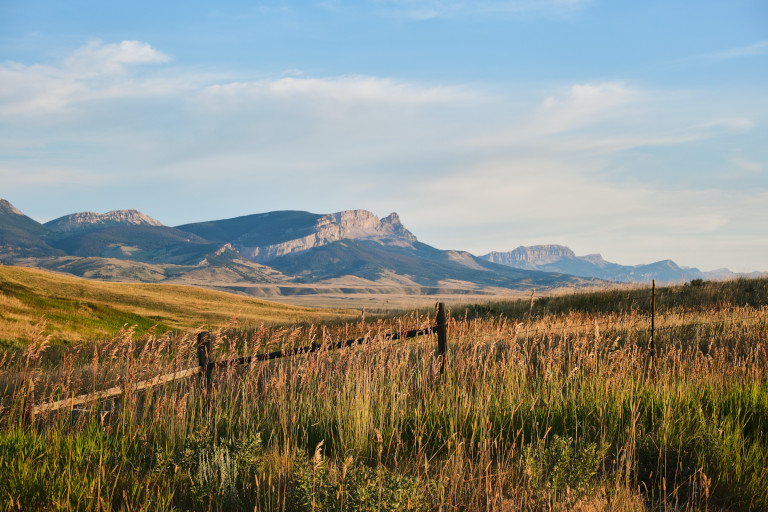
(551, 404)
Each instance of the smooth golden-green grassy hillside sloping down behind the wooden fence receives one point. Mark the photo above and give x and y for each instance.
(37, 303)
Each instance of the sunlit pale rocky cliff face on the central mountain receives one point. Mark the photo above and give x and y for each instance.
(350, 224)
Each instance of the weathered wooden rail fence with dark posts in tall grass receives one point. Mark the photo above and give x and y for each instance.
(206, 366)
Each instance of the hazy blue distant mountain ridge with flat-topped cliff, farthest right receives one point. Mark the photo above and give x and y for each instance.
(558, 258)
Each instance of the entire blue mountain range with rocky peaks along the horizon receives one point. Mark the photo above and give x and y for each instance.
(295, 252)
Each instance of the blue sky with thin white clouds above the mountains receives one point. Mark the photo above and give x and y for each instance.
(638, 130)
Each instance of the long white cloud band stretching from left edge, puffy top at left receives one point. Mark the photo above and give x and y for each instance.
(98, 72)
